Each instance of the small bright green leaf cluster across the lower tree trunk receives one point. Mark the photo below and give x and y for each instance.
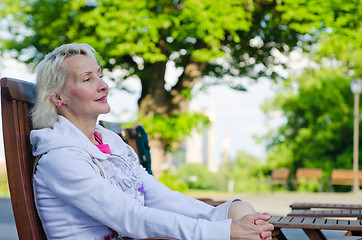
(175, 128)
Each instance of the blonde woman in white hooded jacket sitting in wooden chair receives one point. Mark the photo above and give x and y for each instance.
(88, 183)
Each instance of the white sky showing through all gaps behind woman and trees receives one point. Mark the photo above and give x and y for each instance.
(237, 114)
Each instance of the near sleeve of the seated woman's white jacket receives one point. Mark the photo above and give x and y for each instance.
(73, 178)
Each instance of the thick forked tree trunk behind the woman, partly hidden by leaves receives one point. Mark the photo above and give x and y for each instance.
(155, 100)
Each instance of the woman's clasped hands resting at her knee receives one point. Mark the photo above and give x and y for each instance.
(252, 226)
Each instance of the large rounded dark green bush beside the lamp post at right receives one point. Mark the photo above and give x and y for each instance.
(318, 107)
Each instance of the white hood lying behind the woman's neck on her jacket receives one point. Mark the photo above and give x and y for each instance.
(63, 135)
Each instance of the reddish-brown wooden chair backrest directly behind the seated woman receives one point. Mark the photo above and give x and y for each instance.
(17, 98)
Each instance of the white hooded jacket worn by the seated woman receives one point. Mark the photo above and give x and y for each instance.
(74, 201)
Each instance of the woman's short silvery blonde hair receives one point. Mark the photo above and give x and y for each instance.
(50, 80)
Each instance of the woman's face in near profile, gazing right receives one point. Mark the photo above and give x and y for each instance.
(85, 92)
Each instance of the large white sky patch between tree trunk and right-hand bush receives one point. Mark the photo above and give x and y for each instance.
(238, 116)
